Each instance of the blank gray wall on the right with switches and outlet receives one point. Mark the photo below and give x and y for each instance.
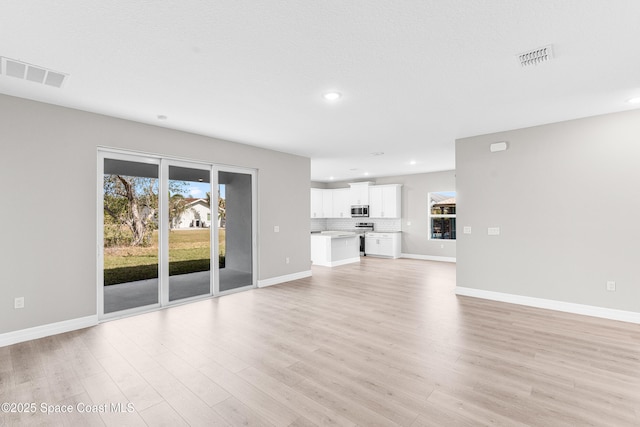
(566, 197)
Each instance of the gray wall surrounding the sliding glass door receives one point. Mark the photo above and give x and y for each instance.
(48, 167)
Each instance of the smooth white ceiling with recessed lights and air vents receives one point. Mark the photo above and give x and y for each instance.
(414, 74)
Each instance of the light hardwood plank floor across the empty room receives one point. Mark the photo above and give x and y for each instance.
(383, 342)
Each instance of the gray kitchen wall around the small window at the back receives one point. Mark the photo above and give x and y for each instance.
(415, 188)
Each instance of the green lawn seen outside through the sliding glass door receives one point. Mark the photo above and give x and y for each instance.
(188, 253)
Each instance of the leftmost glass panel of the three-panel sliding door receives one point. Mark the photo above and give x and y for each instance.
(130, 233)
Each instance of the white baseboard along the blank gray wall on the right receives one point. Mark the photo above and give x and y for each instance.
(567, 307)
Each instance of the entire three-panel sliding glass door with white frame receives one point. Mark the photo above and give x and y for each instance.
(171, 231)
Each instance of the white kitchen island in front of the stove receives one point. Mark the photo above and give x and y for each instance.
(333, 248)
